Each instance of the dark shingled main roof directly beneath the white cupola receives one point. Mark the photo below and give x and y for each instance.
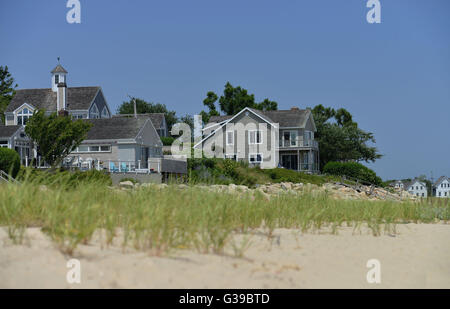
(78, 98)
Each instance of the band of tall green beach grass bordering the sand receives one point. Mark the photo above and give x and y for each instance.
(160, 220)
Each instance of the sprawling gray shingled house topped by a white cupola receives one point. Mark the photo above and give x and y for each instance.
(117, 144)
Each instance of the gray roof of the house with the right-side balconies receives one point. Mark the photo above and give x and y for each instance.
(293, 118)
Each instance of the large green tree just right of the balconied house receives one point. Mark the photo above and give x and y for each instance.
(340, 139)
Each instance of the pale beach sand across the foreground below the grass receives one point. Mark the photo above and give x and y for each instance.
(417, 257)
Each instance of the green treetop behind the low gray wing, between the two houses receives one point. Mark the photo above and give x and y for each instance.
(144, 107)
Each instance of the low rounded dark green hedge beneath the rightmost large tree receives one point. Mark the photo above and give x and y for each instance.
(353, 170)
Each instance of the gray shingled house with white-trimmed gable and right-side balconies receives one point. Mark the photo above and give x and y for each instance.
(267, 139)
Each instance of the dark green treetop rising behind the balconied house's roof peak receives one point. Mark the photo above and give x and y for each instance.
(233, 100)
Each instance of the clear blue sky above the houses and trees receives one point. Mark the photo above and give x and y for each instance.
(394, 77)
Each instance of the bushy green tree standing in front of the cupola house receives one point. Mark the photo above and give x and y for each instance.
(56, 136)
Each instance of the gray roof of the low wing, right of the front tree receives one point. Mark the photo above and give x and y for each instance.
(115, 128)
